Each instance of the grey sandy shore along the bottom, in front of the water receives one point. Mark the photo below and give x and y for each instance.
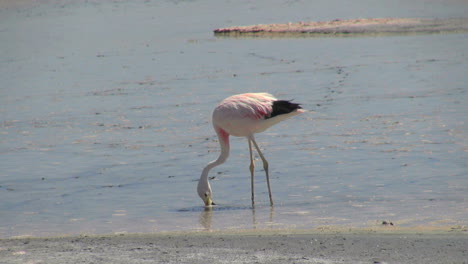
(355, 246)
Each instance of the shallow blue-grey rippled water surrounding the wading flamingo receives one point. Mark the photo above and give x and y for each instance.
(105, 118)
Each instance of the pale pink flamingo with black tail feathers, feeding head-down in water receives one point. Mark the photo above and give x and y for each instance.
(243, 115)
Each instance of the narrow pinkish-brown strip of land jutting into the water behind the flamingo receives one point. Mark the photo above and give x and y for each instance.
(353, 27)
